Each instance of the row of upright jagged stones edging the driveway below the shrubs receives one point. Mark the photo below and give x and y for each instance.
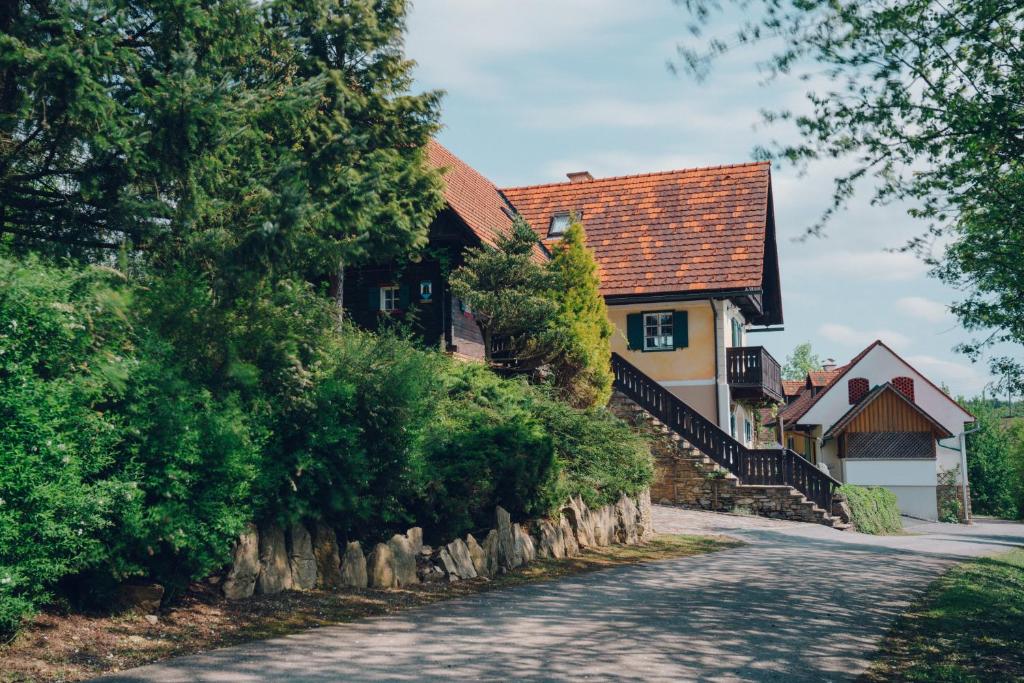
(272, 560)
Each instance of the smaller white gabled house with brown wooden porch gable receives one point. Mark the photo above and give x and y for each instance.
(878, 421)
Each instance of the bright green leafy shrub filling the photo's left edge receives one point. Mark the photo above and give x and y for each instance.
(61, 340)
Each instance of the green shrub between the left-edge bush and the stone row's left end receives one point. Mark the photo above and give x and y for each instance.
(192, 459)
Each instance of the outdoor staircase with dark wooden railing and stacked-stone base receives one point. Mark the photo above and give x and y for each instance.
(700, 465)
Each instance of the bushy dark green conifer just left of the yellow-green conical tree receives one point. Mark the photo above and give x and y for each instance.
(509, 292)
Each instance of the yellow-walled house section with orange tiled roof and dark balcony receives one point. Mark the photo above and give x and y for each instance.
(689, 266)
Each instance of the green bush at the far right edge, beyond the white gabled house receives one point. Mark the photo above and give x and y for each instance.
(994, 480)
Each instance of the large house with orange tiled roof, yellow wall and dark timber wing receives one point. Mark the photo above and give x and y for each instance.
(688, 263)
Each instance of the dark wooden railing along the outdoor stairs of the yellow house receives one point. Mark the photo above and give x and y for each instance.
(752, 466)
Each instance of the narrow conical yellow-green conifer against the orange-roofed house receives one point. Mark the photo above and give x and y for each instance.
(582, 365)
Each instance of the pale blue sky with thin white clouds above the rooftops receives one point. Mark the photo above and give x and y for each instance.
(538, 89)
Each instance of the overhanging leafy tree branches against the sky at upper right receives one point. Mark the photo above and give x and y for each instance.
(924, 100)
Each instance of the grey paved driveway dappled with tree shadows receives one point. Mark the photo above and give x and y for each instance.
(801, 603)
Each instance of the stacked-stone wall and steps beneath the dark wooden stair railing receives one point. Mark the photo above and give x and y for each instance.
(685, 477)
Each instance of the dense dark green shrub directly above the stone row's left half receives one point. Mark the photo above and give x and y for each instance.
(351, 454)
